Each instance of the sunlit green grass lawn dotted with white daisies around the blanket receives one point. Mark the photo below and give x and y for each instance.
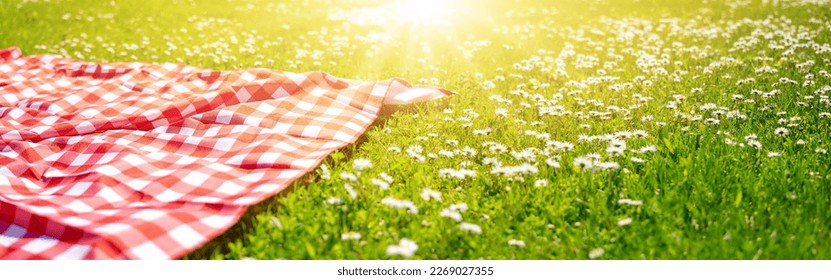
(704, 192)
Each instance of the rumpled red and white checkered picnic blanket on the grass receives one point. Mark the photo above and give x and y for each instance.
(150, 161)
